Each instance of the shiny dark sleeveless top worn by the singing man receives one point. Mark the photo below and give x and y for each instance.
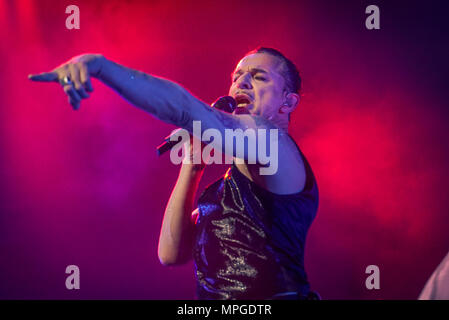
(249, 242)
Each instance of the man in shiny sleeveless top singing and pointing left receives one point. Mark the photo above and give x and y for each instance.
(247, 234)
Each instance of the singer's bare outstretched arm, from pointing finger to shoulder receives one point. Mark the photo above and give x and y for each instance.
(173, 104)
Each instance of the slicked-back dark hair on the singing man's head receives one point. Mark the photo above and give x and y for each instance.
(289, 71)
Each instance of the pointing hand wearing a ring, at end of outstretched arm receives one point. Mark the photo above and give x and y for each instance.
(74, 77)
